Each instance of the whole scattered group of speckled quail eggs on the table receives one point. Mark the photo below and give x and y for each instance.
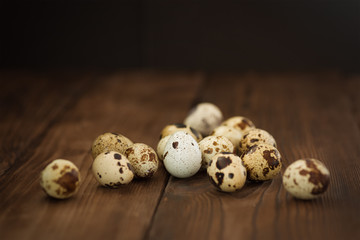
(232, 151)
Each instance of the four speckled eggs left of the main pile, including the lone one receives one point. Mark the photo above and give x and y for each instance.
(117, 161)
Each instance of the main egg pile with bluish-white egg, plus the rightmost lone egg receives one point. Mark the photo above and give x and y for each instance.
(233, 151)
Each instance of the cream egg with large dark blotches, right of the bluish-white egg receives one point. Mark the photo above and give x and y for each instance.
(227, 172)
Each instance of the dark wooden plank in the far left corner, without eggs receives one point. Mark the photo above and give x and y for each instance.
(29, 105)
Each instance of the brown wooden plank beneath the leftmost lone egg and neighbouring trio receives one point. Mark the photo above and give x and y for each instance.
(136, 105)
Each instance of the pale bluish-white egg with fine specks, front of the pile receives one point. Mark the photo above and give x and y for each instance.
(182, 157)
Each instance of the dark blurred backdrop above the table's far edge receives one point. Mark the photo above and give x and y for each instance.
(243, 35)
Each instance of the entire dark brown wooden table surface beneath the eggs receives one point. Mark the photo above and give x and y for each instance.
(45, 116)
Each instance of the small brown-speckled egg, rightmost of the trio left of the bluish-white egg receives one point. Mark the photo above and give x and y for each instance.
(143, 159)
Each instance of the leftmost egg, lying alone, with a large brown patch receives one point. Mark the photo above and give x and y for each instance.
(60, 179)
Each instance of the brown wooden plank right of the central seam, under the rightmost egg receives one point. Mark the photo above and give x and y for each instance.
(310, 116)
